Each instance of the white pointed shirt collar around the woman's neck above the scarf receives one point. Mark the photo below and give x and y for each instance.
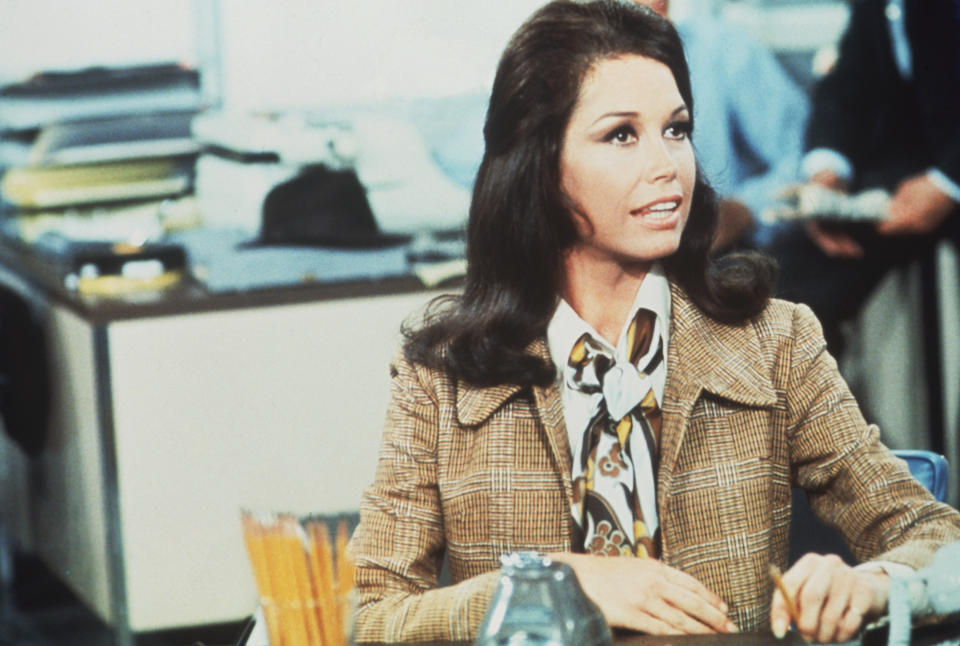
(566, 326)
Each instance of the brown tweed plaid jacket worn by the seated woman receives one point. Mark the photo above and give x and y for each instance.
(748, 412)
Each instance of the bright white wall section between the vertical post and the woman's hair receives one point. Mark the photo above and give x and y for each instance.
(314, 52)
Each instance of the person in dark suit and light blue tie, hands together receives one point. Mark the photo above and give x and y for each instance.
(884, 117)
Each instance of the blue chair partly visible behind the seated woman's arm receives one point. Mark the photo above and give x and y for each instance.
(807, 534)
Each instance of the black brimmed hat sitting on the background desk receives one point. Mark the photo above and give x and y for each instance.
(322, 207)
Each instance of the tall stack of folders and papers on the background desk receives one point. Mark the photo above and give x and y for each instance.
(100, 156)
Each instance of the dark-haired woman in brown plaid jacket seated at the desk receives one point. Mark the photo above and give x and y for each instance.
(602, 386)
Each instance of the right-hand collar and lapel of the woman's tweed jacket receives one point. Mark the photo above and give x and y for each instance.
(705, 356)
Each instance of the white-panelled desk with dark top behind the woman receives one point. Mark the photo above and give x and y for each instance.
(168, 417)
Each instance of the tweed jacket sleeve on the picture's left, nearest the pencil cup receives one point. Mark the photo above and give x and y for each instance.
(399, 545)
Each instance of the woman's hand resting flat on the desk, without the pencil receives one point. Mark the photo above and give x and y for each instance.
(646, 595)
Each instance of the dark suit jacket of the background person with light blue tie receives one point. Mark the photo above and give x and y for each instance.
(887, 126)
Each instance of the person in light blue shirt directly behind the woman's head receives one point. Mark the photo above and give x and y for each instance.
(752, 118)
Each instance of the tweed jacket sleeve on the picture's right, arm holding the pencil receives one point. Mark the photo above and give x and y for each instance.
(853, 481)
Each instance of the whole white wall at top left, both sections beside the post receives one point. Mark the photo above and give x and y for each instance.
(274, 54)
